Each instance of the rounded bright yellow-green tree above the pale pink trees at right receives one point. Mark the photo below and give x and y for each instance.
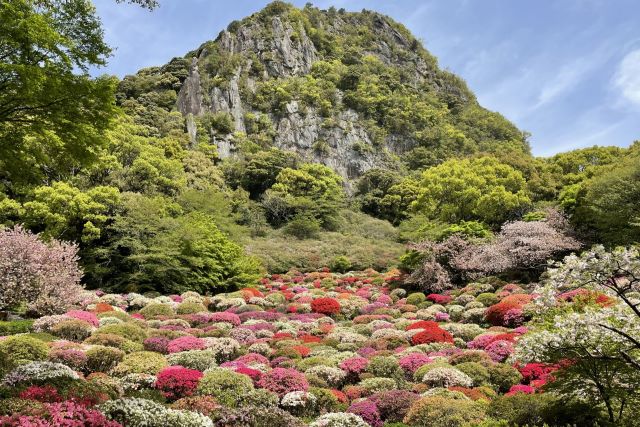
(478, 189)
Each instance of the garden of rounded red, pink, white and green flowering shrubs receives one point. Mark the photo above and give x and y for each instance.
(318, 349)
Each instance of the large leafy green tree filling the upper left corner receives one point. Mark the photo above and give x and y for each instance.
(52, 114)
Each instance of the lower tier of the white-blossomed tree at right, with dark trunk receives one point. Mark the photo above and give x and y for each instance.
(593, 367)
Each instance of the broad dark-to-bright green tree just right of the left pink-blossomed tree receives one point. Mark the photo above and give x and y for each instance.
(154, 245)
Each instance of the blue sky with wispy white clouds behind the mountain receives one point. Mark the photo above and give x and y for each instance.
(568, 71)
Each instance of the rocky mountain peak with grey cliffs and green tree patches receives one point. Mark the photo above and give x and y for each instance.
(353, 91)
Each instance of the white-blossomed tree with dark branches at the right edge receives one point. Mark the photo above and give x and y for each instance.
(598, 346)
